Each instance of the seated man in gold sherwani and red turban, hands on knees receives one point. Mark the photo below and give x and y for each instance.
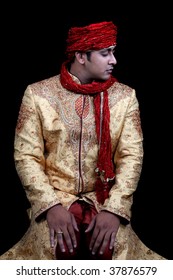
(78, 153)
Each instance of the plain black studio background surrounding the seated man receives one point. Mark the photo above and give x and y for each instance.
(32, 48)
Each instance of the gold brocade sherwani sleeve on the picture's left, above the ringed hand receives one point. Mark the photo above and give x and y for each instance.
(29, 156)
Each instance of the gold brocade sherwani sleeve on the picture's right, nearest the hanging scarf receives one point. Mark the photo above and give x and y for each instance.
(128, 160)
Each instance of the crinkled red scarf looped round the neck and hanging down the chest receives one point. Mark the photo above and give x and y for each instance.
(105, 169)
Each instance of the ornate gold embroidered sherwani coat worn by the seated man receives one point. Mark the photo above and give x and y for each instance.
(56, 153)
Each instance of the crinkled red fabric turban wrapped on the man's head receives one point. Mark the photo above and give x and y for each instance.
(92, 37)
